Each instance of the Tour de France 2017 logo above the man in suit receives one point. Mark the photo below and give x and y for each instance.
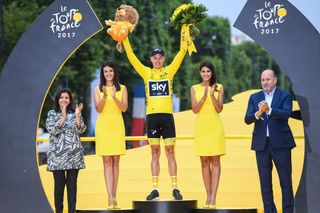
(268, 19)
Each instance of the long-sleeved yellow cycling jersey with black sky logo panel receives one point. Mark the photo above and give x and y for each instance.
(157, 82)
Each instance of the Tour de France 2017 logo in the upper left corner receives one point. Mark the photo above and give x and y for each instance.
(65, 22)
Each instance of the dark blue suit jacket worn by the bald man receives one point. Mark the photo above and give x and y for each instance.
(280, 134)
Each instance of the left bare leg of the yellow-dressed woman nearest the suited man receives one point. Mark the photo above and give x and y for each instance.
(206, 175)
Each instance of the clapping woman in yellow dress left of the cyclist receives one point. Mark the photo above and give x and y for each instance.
(110, 100)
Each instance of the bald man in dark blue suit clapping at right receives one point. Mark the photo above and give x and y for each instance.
(272, 139)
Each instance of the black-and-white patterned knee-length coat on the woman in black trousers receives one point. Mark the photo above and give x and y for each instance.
(65, 150)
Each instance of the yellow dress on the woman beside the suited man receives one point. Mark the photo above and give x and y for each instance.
(209, 130)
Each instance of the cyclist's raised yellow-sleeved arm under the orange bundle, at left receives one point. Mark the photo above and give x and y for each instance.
(135, 62)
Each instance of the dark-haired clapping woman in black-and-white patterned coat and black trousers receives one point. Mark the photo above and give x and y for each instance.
(65, 154)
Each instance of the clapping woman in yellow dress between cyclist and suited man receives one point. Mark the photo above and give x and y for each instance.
(207, 103)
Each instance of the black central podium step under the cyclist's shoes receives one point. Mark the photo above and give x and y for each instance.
(170, 206)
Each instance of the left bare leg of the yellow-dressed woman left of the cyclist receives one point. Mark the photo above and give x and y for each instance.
(108, 176)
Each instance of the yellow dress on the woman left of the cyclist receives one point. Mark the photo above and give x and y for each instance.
(110, 131)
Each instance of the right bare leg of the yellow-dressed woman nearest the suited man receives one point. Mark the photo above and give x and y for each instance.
(216, 170)
